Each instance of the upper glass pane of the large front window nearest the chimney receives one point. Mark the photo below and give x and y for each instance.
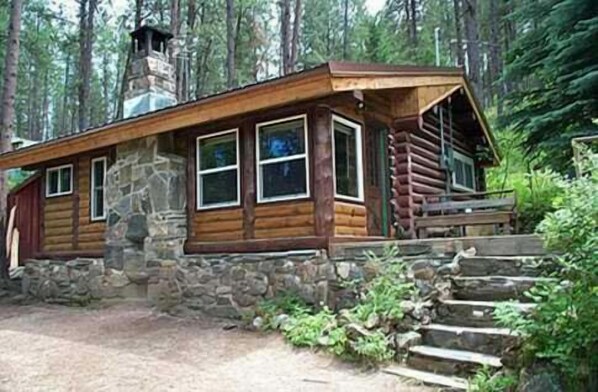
(218, 151)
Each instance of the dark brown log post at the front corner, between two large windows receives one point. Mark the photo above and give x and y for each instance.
(323, 189)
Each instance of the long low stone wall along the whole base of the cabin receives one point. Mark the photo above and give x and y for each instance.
(219, 285)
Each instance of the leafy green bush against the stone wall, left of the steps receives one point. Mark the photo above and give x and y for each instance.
(358, 333)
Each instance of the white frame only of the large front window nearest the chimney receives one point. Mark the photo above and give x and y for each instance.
(199, 172)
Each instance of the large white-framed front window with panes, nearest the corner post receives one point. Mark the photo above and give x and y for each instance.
(282, 171)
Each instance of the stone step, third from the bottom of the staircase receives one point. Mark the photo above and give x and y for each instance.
(492, 341)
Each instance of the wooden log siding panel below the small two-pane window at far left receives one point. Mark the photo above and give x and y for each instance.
(58, 224)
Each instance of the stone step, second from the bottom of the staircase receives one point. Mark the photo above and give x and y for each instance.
(450, 362)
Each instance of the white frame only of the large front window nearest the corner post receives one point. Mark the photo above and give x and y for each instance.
(259, 163)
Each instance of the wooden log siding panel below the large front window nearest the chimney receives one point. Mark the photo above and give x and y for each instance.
(217, 225)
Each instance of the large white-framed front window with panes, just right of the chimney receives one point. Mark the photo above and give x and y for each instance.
(218, 170)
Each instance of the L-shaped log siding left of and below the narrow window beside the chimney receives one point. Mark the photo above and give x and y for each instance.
(90, 233)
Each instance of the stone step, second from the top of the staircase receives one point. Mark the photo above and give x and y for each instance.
(494, 288)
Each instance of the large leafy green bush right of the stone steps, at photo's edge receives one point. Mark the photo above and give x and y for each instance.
(563, 327)
